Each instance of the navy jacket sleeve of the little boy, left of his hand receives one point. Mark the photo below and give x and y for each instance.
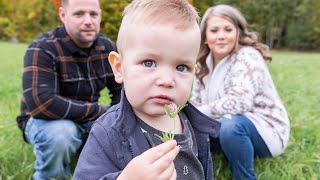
(98, 159)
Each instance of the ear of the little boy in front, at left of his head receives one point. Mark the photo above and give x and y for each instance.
(115, 62)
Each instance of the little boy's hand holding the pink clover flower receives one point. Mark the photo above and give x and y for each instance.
(155, 163)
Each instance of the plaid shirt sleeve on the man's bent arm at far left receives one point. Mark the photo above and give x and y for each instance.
(41, 89)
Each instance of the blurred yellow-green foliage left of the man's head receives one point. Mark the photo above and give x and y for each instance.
(23, 20)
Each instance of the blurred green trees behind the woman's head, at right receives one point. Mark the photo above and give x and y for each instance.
(280, 23)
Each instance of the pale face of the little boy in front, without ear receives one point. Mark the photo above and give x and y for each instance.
(158, 65)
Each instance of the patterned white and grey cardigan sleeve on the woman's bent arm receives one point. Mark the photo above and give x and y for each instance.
(246, 79)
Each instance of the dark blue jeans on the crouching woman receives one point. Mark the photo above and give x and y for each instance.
(240, 142)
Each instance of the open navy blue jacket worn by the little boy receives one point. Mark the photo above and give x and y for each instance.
(115, 139)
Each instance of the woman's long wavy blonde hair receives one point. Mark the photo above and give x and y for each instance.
(245, 37)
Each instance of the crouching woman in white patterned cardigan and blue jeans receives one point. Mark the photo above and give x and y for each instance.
(233, 85)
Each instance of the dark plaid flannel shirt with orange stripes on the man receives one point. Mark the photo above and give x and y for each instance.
(63, 81)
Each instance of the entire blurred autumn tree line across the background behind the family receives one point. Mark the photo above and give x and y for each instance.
(280, 23)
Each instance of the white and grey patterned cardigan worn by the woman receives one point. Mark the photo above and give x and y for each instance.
(242, 84)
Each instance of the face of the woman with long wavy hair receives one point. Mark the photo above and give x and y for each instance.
(221, 36)
